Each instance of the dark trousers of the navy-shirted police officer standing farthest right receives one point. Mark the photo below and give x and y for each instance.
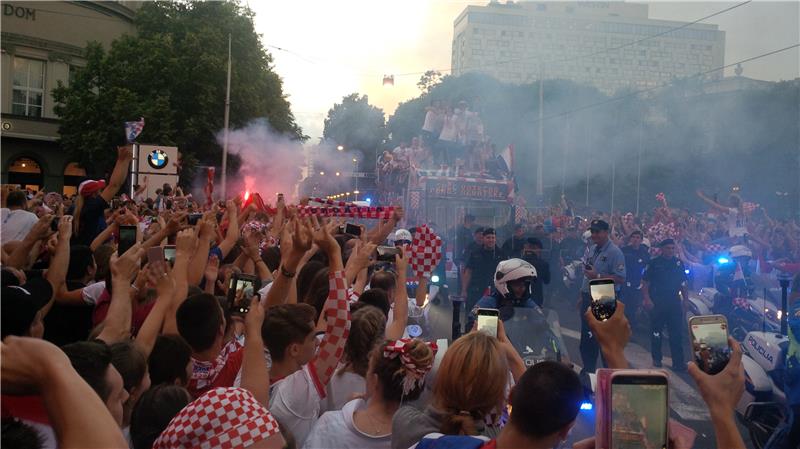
(669, 314)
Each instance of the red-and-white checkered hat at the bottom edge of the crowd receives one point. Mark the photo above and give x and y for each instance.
(221, 418)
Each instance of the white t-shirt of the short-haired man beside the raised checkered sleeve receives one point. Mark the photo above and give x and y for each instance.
(295, 401)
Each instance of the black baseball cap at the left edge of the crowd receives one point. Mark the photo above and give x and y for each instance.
(19, 305)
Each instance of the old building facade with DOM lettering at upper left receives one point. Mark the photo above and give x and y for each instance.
(42, 45)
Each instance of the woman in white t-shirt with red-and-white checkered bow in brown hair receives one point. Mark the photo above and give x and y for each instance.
(396, 374)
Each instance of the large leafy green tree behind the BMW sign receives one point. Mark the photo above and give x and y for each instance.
(172, 72)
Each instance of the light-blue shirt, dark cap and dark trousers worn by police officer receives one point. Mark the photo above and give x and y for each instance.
(607, 260)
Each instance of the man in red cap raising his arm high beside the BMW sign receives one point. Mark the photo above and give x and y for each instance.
(94, 197)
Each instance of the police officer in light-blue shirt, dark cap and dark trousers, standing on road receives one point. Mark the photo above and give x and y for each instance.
(602, 259)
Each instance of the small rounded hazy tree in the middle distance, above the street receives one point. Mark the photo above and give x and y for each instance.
(356, 125)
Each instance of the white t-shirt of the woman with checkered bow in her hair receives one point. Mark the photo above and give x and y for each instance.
(336, 430)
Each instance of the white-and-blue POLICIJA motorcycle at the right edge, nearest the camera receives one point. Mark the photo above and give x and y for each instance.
(763, 406)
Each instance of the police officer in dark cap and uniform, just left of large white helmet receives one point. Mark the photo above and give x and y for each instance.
(479, 271)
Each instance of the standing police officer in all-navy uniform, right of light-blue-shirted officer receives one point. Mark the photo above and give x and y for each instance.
(663, 281)
